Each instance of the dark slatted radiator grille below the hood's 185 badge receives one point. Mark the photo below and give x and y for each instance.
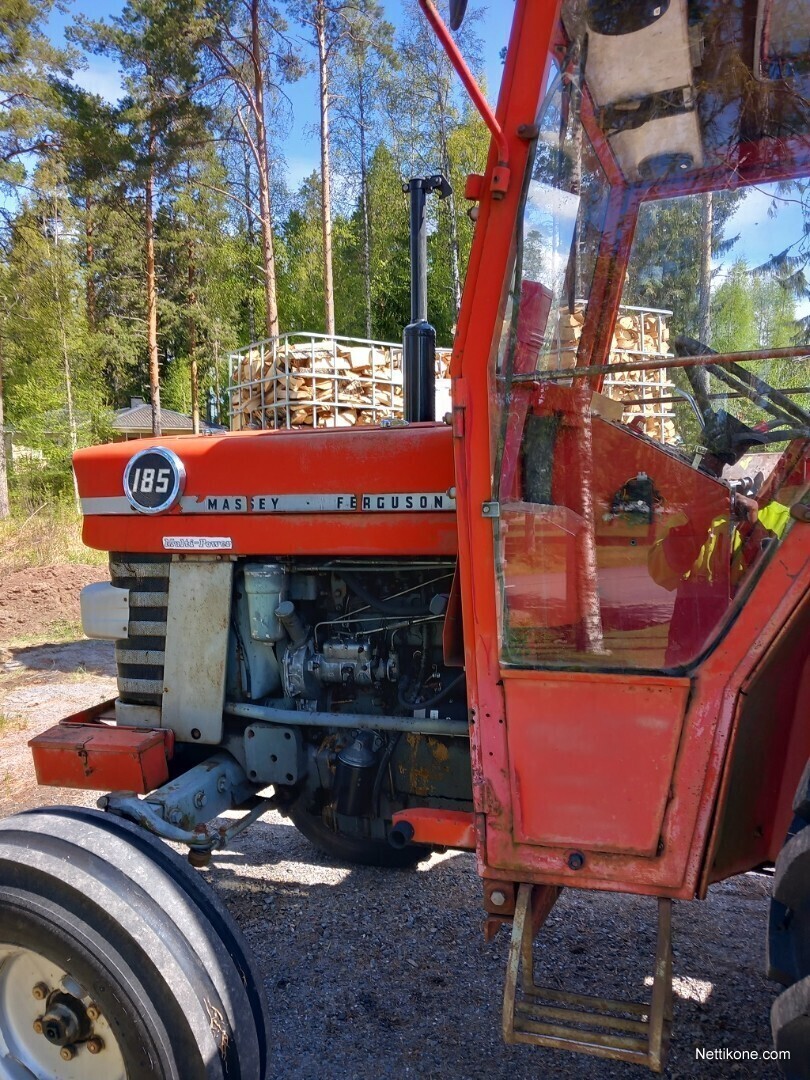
(140, 658)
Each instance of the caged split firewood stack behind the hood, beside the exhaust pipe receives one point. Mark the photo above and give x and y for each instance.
(323, 384)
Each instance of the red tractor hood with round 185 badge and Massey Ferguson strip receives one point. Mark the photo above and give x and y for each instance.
(375, 492)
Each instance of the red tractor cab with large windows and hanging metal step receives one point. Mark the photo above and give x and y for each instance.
(632, 533)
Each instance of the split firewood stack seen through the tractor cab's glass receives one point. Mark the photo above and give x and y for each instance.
(638, 334)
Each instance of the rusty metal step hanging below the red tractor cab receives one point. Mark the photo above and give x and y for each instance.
(622, 1031)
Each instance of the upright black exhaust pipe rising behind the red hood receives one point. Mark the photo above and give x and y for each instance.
(420, 339)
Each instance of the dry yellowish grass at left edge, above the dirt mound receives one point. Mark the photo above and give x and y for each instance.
(48, 536)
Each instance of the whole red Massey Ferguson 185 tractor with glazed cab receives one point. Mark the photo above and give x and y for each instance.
(534, 629)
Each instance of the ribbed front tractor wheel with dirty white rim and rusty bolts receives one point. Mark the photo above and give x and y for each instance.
(117, 961)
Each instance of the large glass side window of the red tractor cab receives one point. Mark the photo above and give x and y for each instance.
(640, 499)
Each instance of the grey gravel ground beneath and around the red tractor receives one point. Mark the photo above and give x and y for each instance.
(380, 974)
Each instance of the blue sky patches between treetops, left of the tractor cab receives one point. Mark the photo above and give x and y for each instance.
(301, 143)
